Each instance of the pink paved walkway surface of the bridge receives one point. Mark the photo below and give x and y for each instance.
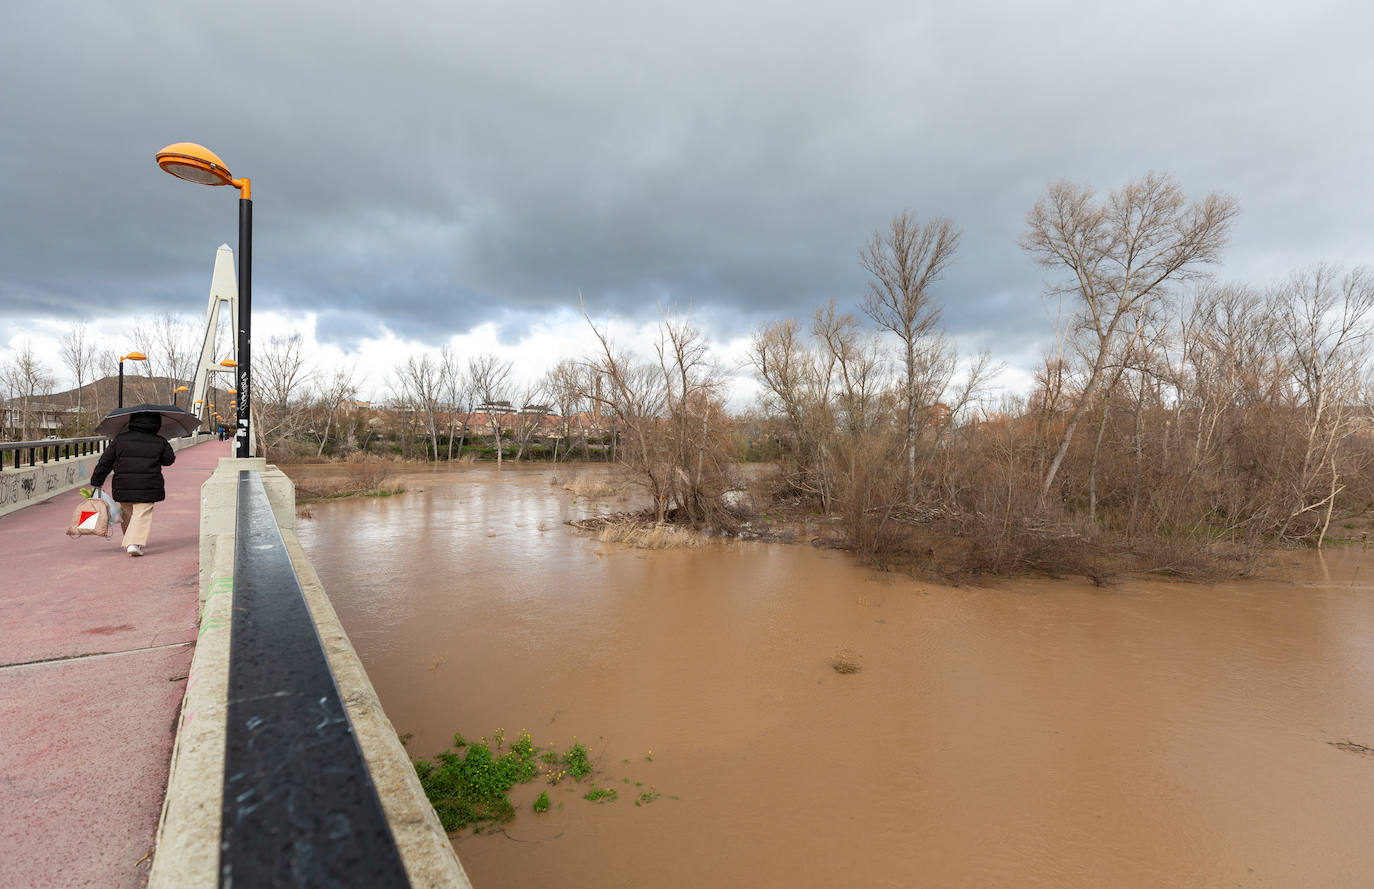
(94, 651)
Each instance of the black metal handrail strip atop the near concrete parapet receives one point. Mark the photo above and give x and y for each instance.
(300, 806)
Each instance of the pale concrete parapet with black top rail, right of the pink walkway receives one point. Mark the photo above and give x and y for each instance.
(258, 767)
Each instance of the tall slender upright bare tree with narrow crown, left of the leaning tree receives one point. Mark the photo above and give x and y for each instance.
(905, 262)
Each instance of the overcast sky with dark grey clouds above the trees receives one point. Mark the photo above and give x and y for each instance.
(457, 172)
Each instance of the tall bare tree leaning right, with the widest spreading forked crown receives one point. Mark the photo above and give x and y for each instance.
(1122, 255)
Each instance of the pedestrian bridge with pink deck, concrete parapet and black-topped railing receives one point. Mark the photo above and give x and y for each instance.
(199, 717)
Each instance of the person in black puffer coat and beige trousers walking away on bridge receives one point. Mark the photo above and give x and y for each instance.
(137, 458)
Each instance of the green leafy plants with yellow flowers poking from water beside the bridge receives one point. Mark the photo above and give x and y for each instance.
(471, 783)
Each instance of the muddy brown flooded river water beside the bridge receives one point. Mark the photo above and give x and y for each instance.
(1030, 734)
